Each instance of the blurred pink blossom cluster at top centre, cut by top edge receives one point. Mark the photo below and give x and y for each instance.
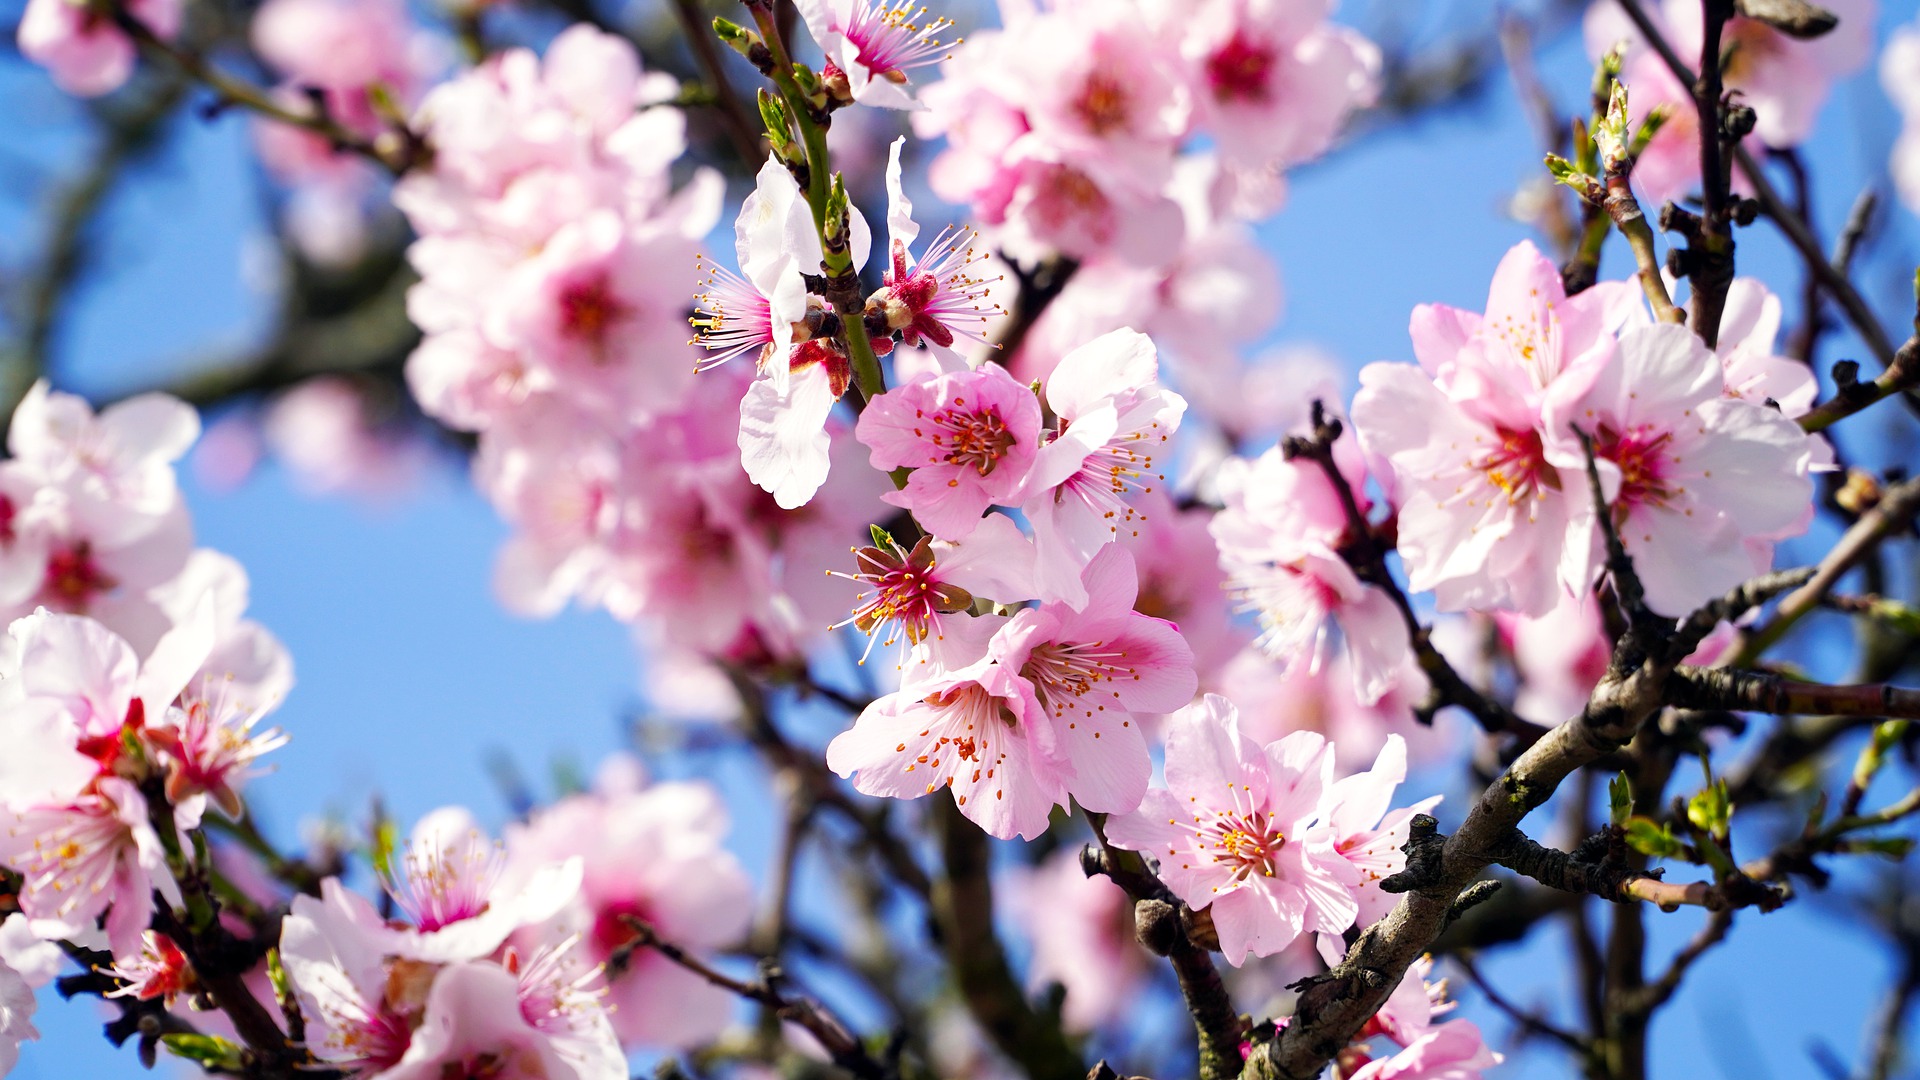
(1138, 139)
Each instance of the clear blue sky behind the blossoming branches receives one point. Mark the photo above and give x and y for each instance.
(412, 675)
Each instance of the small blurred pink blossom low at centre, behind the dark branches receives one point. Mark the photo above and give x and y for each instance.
(1082, 933)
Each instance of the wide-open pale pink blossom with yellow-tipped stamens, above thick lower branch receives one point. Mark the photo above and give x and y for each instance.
(1236, 833)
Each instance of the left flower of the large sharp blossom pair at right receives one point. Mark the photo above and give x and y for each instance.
(1487, 485)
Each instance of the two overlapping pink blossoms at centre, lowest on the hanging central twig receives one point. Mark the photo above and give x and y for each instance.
(1045, 714)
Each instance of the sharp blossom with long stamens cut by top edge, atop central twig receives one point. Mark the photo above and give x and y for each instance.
(875, 45)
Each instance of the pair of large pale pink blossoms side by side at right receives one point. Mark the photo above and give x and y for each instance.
(1489, 472)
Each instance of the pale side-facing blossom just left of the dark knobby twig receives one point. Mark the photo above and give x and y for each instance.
(1280, 541)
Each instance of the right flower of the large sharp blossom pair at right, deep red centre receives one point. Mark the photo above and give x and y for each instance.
(1700, 481)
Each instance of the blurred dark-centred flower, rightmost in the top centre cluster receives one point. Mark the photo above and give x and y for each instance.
(1274, 80)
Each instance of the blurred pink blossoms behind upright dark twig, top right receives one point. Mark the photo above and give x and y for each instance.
(1785, 82)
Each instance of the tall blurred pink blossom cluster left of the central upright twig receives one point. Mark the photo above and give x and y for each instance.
(556, 262)
